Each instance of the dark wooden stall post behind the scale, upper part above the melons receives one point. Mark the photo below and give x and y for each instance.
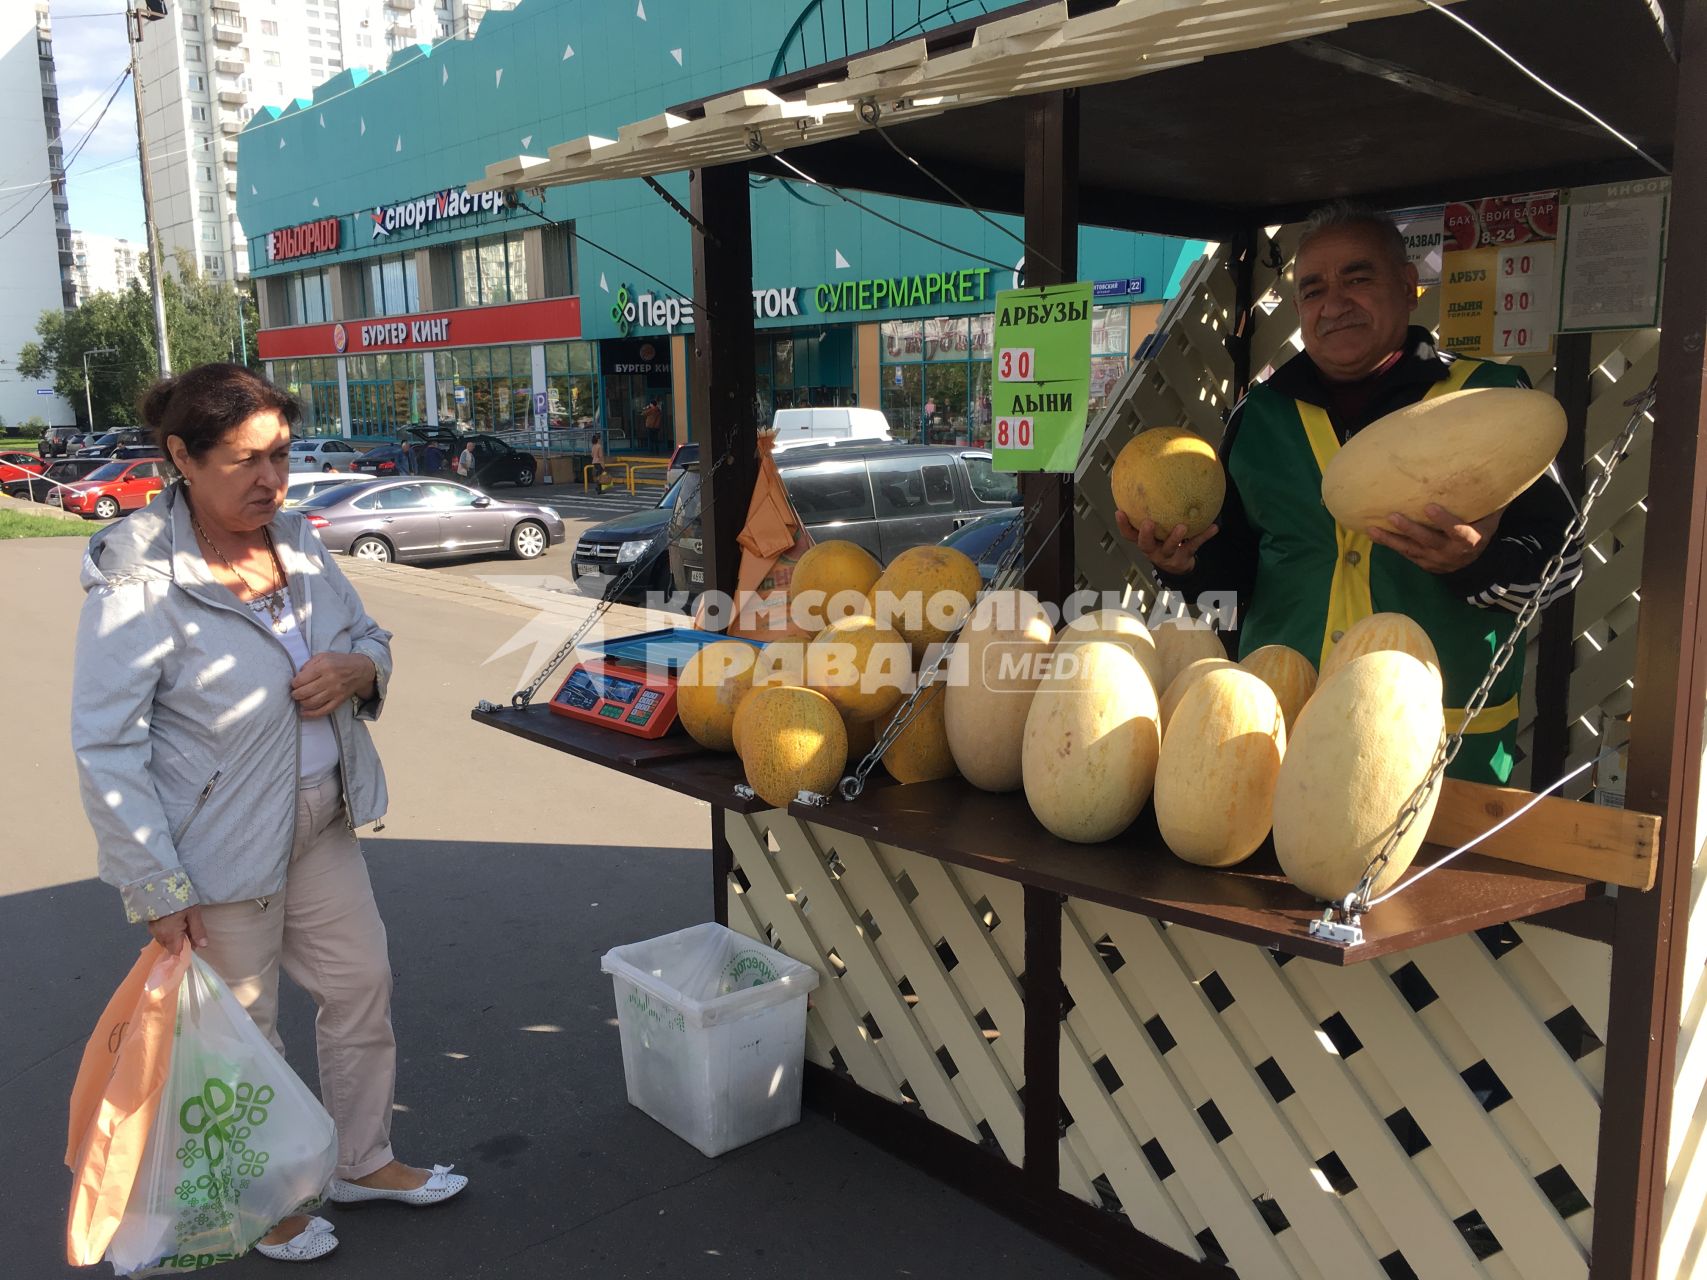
(723, 364)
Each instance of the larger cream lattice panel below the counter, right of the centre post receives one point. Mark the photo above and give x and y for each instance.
(1433, 1115)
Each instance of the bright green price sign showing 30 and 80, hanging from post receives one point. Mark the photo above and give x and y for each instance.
(1042, 378)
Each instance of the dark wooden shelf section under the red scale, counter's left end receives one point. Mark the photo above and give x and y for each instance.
(675, 762)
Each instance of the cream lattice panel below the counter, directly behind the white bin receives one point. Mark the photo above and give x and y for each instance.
(919, 998)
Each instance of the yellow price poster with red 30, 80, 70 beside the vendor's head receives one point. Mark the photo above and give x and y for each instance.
(1500, 276)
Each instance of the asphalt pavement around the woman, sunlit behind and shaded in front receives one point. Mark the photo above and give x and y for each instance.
(504, 873)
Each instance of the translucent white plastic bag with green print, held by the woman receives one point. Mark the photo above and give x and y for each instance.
(238, 1143)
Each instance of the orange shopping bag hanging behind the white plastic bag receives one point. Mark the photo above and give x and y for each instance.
(117, 1097)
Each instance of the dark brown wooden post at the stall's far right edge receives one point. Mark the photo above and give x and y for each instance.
(1667, 731)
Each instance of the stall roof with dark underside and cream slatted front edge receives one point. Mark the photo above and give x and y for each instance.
(1267, 108)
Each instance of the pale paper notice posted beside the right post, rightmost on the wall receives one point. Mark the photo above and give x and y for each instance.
(1616, 252)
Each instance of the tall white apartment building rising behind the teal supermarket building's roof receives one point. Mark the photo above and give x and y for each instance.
(209, 66)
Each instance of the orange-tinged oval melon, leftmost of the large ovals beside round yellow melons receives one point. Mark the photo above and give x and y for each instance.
(993, 673)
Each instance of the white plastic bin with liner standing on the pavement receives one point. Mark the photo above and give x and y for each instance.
(714, 1033)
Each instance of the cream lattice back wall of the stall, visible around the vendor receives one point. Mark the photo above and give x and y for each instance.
(1187, 381)
